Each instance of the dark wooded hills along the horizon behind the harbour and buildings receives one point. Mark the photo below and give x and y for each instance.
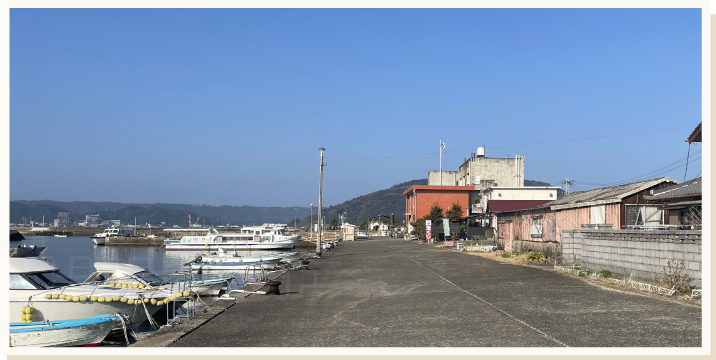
(379, 202)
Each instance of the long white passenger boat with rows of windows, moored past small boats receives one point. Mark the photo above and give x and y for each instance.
(264, 237)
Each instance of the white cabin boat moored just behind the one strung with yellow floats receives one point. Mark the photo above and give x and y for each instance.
(130, 275)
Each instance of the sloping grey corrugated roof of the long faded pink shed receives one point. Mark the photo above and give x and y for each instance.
(607, 195)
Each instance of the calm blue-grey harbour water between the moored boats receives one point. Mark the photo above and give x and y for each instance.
(75, 256)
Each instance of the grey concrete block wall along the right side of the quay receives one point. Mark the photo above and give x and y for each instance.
(641, 253)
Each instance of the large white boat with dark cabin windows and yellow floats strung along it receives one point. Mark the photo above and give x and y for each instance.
(55, 296)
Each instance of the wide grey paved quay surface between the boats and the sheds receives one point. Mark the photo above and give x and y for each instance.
(384, 292)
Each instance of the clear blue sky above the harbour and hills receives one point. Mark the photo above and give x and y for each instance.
(229, 106)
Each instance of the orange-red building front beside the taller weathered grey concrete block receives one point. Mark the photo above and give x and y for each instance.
(419, 199)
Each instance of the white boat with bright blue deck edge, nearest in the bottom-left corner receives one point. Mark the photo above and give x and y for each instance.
(76, 332)
